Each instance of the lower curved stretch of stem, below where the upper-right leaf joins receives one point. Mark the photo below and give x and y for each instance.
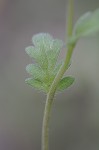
(49, 100)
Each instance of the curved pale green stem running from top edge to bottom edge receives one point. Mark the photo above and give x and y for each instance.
(50, 95)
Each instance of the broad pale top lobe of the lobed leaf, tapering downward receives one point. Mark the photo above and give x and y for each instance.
(49, 49)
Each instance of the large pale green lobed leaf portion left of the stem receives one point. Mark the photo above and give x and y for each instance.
(45, 52)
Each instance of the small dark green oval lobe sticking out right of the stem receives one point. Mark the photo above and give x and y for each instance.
(65, 83)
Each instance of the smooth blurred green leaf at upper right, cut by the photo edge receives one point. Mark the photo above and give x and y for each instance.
(87, 25)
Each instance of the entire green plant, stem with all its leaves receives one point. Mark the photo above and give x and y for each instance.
(45, 53)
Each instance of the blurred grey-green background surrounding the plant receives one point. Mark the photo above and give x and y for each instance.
(74, 124)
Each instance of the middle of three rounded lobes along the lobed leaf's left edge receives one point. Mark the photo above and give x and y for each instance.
(36, 72)
